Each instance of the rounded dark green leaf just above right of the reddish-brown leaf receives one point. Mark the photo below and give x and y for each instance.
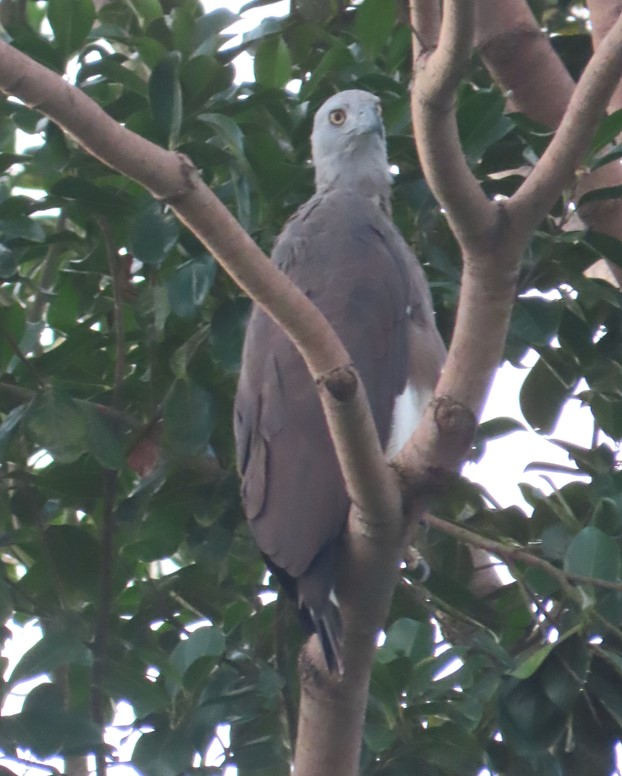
(188, 419)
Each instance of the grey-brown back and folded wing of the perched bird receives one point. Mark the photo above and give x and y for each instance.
(346, 256)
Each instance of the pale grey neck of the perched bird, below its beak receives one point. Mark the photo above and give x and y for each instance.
(367, 175)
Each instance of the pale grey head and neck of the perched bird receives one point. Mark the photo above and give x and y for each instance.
(348, 145)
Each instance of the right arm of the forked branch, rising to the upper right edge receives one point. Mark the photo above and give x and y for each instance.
(588, 103)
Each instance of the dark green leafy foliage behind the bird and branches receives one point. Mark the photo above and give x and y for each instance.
(119, 343)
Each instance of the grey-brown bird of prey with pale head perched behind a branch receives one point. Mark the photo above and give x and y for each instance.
(343, 251)
